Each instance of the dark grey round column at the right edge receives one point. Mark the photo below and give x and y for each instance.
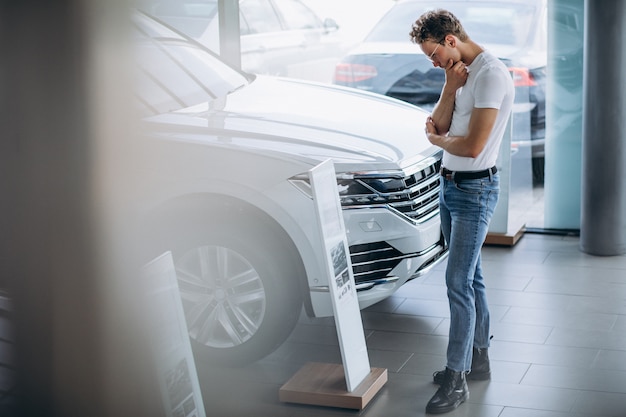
(603, 208)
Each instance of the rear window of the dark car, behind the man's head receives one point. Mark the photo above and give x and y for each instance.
(485, 22)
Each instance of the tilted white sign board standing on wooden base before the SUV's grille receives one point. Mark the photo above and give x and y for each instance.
(340, 277)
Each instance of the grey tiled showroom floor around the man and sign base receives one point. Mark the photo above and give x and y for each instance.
(559, 345)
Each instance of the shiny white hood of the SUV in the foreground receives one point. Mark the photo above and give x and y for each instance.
(358, 130)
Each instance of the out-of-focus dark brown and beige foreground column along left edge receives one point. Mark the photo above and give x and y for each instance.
(64, 160)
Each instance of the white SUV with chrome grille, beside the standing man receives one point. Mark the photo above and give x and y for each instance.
(224, 163)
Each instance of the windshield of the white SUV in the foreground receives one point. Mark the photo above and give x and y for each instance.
(176, 73)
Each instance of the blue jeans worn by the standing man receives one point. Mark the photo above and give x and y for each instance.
(466, 208)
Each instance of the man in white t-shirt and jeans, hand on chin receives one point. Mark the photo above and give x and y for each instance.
(468, 123)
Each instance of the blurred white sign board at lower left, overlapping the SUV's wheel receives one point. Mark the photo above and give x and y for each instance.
(175, 366)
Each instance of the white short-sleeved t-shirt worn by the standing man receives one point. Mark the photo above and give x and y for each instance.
(489, 85)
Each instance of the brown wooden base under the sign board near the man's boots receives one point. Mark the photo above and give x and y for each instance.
(325, 384)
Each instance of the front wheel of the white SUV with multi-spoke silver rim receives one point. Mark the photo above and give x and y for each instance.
(238, 280)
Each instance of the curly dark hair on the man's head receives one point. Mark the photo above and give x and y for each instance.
(435, 25)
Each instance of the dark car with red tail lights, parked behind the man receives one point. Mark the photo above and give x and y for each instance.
(388, 63)
